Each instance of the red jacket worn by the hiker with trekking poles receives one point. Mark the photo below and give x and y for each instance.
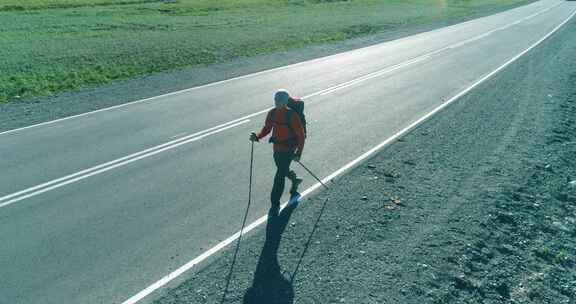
(287, 136)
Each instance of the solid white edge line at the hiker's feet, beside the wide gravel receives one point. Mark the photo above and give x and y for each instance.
(166, 279)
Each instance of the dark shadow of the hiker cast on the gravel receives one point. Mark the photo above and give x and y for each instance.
(269, 285)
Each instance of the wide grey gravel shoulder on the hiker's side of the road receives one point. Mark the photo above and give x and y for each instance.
(476, 205)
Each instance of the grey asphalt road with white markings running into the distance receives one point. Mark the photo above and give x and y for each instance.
(87, 217)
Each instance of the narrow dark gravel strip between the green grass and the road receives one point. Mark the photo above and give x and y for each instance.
(36, 110)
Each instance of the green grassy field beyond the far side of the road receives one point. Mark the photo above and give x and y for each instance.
(49, 46)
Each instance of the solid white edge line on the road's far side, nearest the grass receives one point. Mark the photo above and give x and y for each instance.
(253, 74)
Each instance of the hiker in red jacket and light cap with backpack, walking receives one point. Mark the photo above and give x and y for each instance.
(288, 135)
